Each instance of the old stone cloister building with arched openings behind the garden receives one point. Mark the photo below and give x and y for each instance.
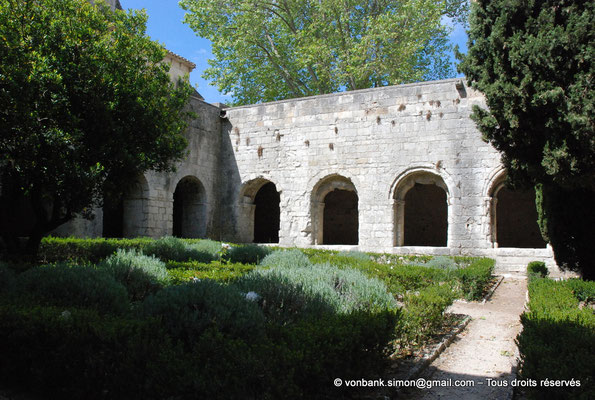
(398, 169)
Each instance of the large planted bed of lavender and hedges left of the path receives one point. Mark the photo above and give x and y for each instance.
(177, 318)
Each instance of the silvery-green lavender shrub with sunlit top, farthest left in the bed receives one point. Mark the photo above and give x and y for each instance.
(140, 274)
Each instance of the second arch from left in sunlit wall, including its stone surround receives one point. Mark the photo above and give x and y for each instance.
(334, 211)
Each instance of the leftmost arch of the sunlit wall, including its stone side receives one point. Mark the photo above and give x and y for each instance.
(261, 210)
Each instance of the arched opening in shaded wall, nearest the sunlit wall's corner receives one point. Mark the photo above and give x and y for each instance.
(189, 213)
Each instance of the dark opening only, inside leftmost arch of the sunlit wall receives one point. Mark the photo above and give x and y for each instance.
(267, 214)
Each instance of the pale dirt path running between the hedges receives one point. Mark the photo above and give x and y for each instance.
(484, 350)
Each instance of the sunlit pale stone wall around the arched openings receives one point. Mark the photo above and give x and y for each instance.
(378, 143)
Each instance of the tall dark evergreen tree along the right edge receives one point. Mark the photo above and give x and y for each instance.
(533, 60)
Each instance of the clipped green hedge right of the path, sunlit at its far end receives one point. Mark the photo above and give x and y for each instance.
(557, 341)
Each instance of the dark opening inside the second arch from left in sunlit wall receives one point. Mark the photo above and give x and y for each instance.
(340, 223)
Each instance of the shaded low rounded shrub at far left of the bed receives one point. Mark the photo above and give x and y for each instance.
(72, 286)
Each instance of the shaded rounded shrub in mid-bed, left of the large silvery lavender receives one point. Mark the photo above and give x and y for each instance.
(187, 310)
